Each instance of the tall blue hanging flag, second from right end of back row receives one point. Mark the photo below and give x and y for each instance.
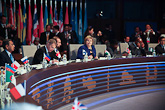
(80, 23)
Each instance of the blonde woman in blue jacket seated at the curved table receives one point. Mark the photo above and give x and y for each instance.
(87, 48)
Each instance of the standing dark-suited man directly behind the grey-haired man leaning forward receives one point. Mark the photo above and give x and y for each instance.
(45, 36)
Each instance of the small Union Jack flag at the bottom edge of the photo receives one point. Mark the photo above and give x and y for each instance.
(78, 106)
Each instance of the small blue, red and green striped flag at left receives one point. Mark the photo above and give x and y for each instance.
(9, 73)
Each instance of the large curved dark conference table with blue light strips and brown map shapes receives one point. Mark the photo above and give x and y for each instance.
(58, 85)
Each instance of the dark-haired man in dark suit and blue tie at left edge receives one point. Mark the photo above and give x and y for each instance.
(6, 56)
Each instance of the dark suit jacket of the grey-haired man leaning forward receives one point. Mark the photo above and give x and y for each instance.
(38, 57)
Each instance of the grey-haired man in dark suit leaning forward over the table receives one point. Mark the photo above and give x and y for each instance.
(47, 49)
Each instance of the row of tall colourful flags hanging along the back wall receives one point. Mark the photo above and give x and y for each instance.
(28, 28)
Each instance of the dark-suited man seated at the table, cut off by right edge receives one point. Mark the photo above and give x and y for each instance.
(160, 48)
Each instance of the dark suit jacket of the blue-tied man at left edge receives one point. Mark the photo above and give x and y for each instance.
(4, 58)
